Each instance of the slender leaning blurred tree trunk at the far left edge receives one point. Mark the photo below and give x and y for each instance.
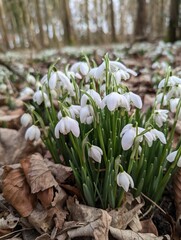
(3, 27)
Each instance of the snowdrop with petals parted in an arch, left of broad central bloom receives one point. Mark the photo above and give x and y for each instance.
(94, 95)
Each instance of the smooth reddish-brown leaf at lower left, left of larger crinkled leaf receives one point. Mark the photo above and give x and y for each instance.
(17, 191)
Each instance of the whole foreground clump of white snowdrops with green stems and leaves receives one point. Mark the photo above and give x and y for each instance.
(89, 120)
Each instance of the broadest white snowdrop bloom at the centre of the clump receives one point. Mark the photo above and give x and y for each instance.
(115, 100)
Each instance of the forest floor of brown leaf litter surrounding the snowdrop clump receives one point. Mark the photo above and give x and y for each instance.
(150, 61)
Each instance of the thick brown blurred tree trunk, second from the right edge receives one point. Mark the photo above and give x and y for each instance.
(140, 25)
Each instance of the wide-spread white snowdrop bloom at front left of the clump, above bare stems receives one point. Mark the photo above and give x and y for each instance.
(66, 125)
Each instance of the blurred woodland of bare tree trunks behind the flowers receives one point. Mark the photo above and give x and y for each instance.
(54, 23)
